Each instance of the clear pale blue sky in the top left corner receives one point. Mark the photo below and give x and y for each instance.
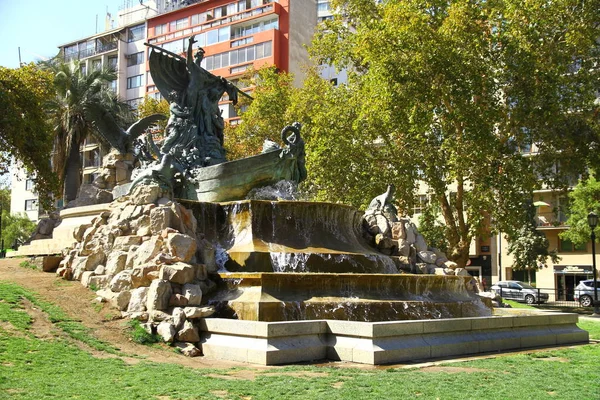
(38, 27)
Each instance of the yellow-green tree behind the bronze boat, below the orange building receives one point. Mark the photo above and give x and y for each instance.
(263, 117)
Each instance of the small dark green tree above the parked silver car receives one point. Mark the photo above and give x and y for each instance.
(529, 246)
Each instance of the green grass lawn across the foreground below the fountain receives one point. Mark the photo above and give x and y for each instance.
(34, 368)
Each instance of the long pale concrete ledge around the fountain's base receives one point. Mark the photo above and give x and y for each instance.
(270, 343)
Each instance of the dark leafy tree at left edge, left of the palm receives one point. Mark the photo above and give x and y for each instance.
(24, 131)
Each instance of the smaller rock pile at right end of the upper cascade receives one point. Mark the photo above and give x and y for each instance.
(399, 237)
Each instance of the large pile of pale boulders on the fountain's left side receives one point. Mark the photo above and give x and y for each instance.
(145, 258)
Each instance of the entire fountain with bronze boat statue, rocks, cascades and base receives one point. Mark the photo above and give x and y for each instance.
(297, 281)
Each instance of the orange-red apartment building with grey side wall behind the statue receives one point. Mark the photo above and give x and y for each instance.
(236, 35)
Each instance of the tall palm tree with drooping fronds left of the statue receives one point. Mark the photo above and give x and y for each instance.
(79, 96)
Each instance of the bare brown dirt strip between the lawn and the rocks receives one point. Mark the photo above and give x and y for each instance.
(76, 301)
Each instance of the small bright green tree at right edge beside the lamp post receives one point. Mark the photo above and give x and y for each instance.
(584, 198)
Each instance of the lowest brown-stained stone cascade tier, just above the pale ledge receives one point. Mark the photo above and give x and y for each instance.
(353, 297)
